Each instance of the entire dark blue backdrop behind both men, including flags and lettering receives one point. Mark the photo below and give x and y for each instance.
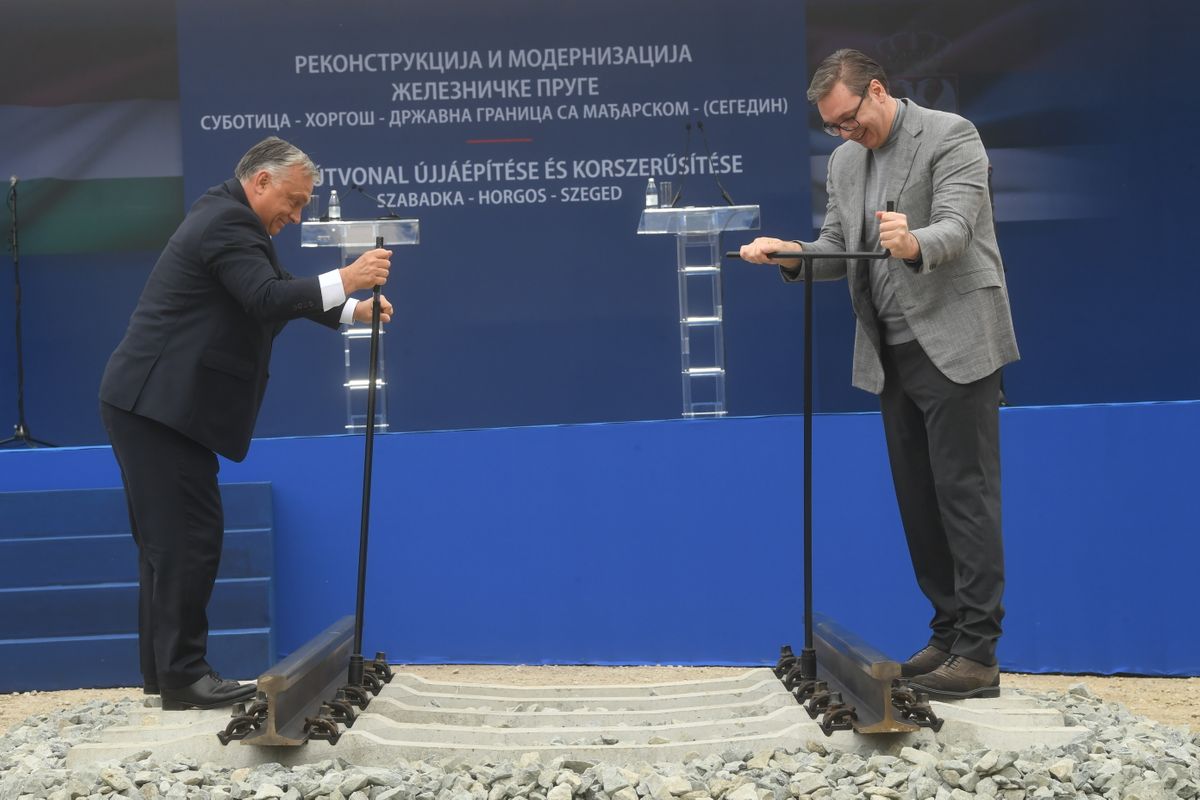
(523, 133)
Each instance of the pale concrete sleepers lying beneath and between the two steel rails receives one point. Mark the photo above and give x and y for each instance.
(416, 719)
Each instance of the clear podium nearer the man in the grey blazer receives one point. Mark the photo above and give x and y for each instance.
(698, 233)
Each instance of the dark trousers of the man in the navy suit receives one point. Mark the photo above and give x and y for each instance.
(171, 486)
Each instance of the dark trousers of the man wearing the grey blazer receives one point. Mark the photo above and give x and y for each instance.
(944, 443)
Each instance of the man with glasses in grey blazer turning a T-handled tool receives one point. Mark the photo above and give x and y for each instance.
(933, 332)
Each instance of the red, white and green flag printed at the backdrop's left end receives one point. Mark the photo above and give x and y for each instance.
(89, 124)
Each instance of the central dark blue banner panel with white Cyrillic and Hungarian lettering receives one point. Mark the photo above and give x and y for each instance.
(523, 136)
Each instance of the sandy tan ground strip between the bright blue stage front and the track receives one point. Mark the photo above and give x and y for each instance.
(1169, 701)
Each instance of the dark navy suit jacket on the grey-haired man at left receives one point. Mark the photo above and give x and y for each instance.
(195, 357)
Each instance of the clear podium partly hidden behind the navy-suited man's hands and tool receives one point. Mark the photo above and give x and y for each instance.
(355, 238)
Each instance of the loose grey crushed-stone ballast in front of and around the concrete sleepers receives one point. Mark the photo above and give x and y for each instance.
(1124, 757)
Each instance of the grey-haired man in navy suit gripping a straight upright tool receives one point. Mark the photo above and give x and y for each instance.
(187, 383)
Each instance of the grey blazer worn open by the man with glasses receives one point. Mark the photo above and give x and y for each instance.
(957, 303)
